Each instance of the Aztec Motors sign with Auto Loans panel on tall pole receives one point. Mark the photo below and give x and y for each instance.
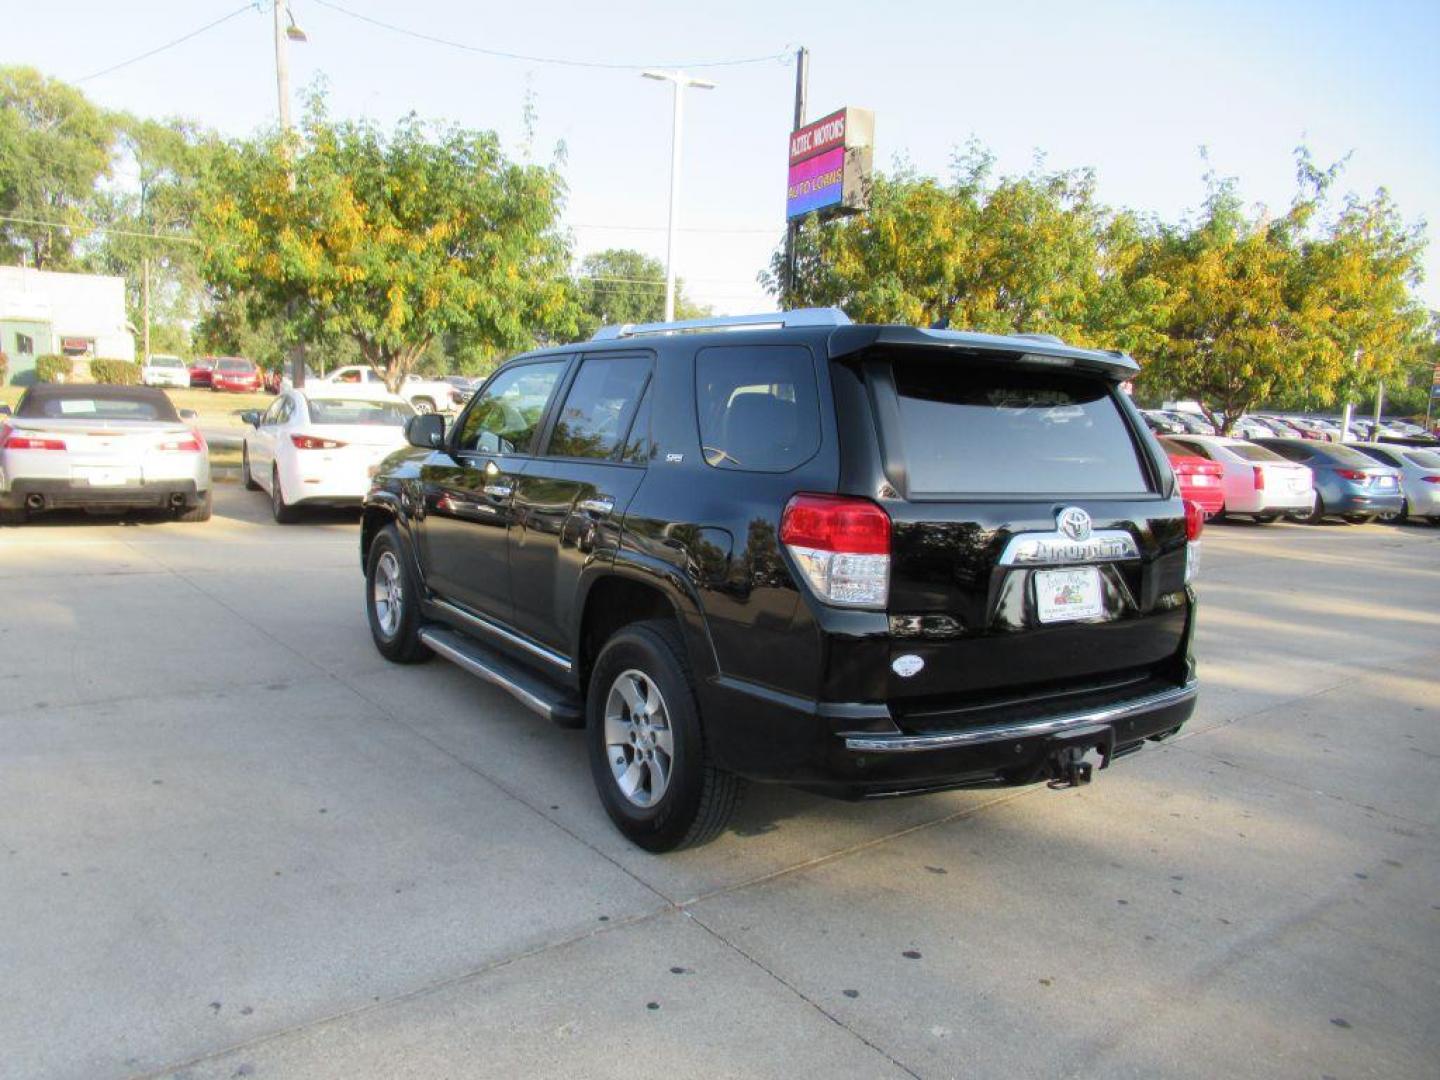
(830, 165)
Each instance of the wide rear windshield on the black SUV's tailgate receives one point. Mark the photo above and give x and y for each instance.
(989, 428)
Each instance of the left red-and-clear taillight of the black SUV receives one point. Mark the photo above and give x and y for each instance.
(842, 546)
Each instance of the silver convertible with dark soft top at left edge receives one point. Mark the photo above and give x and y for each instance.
(109, 449)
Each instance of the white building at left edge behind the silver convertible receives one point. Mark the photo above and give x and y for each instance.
(76, 315)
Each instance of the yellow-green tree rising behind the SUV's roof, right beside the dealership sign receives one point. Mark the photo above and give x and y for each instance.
(1019, 254)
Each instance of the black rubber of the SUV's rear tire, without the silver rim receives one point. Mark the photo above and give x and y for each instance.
(698, 797)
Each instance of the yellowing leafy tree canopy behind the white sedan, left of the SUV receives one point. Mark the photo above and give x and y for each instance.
(394, 241)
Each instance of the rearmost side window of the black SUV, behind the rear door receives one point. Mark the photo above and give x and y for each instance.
(758, 405)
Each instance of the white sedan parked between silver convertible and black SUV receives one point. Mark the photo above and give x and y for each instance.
(319, 447)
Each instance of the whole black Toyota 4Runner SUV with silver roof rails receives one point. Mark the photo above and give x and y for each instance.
(865, 561)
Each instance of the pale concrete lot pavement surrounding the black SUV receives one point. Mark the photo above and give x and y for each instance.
(235, 843)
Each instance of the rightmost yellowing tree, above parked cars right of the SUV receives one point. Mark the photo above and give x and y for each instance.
(1288, 310)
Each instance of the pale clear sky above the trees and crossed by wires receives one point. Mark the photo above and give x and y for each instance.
(1130, 89)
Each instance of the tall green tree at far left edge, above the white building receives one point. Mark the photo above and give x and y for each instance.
(55, 145)
